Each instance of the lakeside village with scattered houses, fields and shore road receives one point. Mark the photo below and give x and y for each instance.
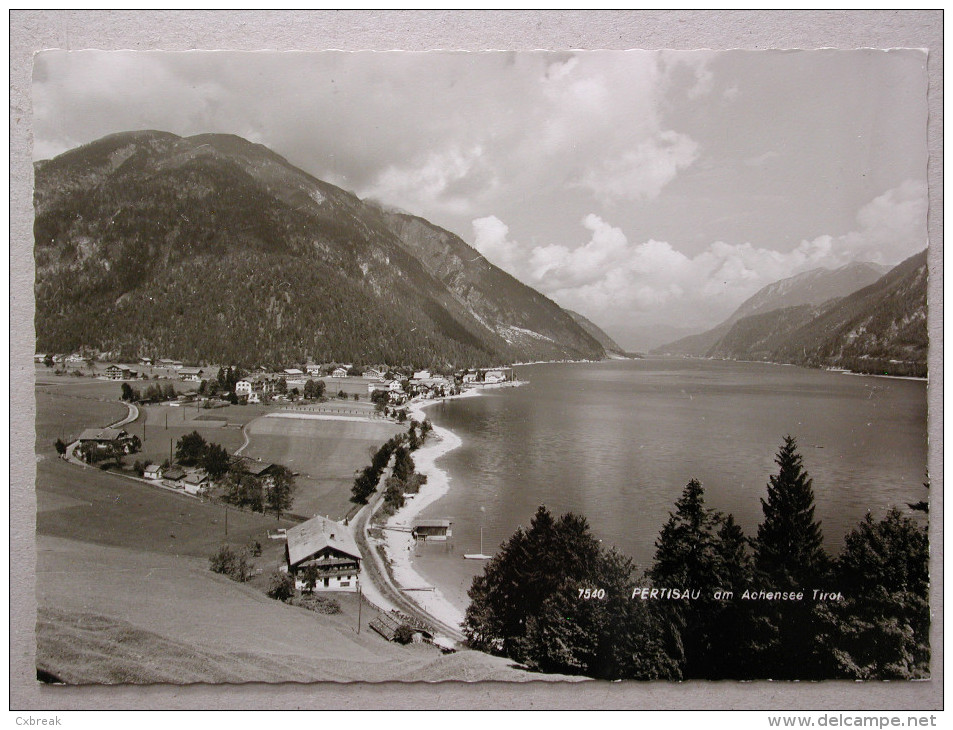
(329, 544)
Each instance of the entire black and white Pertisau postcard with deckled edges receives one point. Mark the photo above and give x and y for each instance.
(481, 366)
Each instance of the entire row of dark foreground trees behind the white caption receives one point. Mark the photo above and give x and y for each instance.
(555, 600)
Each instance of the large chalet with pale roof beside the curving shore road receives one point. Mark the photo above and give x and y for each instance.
(326, 549)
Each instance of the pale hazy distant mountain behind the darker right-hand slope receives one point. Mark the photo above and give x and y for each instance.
(812, 287)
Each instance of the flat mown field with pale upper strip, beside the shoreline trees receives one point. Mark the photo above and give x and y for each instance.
(325, 453)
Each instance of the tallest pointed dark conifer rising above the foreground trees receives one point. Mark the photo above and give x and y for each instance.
(788, 549)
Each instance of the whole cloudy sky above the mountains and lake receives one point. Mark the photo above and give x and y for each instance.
(651, 191)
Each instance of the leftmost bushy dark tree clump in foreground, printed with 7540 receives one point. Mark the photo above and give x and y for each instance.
(555, 600)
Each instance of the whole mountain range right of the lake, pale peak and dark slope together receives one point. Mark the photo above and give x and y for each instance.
(878, 328)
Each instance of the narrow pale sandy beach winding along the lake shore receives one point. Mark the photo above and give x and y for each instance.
(399, 544)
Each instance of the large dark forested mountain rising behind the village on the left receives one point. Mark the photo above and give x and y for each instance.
(214, 249)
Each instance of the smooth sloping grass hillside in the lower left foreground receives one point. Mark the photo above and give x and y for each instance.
(111, 615)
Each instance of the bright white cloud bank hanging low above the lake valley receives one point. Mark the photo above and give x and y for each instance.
(618, 283)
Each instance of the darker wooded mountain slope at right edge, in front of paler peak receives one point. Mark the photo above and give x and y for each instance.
(878, 329)
